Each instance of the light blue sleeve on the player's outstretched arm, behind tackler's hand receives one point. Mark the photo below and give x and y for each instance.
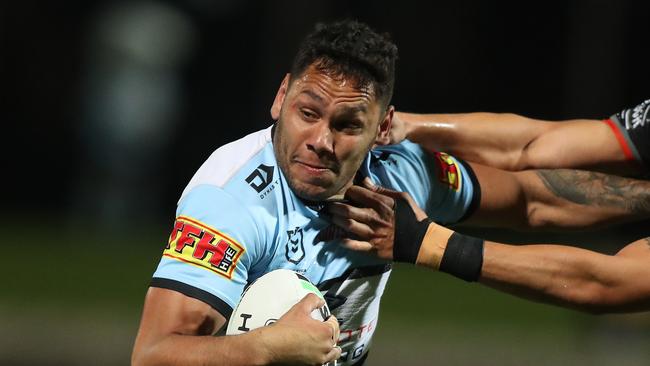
(440, 184)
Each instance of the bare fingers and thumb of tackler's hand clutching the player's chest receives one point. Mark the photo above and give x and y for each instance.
(370, 218)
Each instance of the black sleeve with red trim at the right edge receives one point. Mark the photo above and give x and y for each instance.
(633, 124)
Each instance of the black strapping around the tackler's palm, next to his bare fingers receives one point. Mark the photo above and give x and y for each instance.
(409, 232)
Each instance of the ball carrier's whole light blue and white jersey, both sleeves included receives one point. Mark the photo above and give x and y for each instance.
(238, 219)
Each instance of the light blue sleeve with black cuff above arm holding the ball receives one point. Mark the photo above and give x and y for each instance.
(211, 249)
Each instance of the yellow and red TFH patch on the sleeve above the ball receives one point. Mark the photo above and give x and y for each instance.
(198, 244)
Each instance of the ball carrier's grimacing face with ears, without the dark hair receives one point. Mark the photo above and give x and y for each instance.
(325, 128)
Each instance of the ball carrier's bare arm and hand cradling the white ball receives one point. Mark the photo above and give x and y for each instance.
(178, 330)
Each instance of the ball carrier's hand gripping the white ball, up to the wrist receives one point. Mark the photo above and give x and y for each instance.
(298, 339)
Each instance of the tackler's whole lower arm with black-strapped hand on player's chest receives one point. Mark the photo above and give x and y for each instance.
(391, 226)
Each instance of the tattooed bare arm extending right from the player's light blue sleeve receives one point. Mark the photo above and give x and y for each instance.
(558, 198)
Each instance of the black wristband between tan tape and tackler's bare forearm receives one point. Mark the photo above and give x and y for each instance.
(463, 257)
